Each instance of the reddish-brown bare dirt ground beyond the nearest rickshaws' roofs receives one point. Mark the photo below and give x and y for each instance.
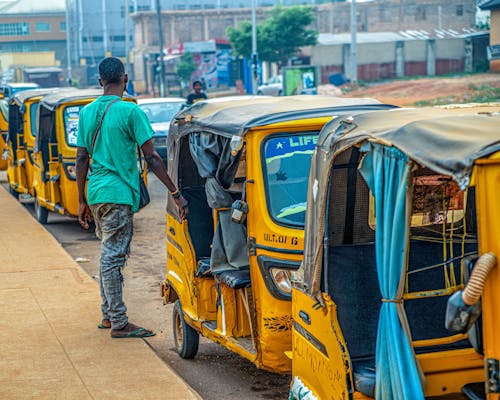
(449, 90)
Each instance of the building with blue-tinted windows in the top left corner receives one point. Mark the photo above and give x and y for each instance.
(32, 34)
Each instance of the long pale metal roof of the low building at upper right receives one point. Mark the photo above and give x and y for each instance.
(384, 37)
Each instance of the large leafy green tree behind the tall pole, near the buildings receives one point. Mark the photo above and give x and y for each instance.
(279, 37)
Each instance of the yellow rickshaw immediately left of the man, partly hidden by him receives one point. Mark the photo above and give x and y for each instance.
(54, 154)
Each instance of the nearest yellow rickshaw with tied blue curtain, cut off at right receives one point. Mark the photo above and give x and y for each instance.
(401, 204)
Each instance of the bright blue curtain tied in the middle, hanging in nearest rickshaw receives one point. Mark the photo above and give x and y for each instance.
(386, 169)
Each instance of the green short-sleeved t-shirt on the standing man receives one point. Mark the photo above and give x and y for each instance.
(115, 176)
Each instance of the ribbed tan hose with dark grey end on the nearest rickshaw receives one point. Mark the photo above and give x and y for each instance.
(463, 307)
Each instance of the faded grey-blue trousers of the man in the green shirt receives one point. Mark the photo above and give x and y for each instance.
(114, 226)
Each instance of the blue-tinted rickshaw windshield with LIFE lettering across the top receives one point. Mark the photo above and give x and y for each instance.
(287, 160)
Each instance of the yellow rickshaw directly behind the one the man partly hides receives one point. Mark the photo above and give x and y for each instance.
(21, 139)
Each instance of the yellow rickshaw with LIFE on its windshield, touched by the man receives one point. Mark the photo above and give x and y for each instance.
(242, 164)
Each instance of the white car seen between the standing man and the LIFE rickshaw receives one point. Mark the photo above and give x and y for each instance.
(160, 111)
